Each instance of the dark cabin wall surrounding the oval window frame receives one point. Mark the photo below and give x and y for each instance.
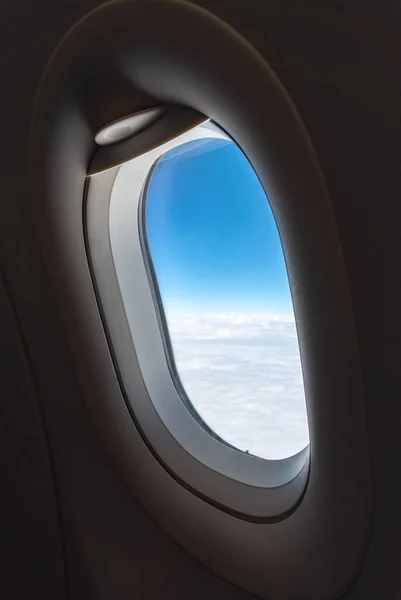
(69, 525)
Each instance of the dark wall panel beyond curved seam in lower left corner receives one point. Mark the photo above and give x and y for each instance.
(31, 532)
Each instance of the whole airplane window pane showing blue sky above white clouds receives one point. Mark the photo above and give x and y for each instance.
(223, 289)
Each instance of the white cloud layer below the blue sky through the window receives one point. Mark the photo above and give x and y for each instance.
(243, 375)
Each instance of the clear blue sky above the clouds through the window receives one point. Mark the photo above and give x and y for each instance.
(211, 233)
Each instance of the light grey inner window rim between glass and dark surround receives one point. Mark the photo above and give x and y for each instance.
(246, 485)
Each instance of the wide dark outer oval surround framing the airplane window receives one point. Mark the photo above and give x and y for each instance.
(138, 50)
